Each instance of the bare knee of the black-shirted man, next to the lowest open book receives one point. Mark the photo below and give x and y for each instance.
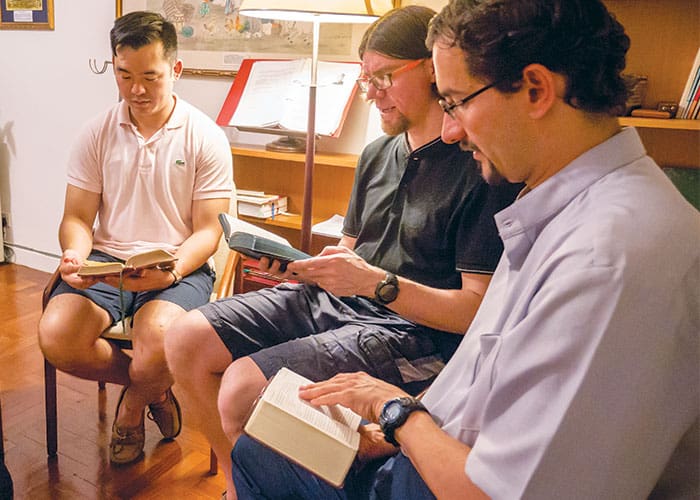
(240, 386)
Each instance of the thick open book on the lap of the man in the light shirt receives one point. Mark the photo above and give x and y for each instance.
(323, 440)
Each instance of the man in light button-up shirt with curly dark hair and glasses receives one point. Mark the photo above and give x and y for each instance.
(578, 377)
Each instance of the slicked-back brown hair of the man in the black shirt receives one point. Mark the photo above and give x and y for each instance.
(400, 34)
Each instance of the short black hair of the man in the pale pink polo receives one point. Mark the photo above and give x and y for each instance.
(141, 28)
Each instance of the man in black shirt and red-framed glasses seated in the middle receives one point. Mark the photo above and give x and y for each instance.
(395, 296)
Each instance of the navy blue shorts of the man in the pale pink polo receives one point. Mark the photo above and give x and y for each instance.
(193, 291)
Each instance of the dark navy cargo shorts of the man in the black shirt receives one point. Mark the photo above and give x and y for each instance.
(319, 335)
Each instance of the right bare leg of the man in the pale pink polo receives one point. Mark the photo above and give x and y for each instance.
(149, 373)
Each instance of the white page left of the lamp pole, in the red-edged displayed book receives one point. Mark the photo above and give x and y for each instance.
(265, 93)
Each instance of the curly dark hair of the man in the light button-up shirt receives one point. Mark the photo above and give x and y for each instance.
(578, 39)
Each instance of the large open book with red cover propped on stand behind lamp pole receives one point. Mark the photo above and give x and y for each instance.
(274, 94)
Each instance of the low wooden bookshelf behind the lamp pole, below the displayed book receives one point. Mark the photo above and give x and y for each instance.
(283, 173)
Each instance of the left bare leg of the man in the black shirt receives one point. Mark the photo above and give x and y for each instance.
(197, 359)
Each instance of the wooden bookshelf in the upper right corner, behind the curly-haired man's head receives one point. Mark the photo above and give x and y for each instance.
(665, 36)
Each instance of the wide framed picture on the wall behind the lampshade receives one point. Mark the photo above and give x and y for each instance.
(214, 39)
